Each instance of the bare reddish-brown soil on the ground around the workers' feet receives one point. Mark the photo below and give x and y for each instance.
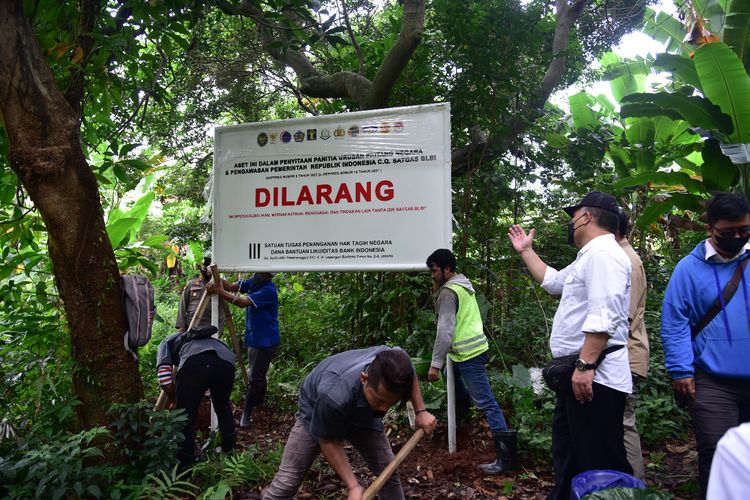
(430, 472)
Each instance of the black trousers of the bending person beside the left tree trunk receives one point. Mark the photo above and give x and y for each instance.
(203, 371)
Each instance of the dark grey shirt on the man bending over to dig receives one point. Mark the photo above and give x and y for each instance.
(331, 400)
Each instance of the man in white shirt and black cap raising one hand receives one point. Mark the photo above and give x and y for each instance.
(587, 430)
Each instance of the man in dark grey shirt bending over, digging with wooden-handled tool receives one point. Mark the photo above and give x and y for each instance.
(344, 398)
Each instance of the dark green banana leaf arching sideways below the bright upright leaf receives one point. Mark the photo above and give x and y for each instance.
(697, 111)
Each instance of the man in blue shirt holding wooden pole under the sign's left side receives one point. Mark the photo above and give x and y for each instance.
(262, 339)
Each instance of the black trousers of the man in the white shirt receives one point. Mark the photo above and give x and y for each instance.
(587, 436)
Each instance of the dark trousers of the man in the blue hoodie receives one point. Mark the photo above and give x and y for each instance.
(719, 404)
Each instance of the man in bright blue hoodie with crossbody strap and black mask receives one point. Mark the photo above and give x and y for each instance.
(710, 367)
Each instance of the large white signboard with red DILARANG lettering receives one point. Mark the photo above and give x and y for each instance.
(358, 191)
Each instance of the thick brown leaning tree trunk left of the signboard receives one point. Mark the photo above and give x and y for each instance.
(45, 152)
